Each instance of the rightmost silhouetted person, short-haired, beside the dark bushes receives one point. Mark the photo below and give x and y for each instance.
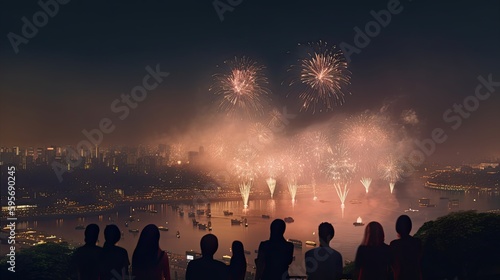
(406, 252)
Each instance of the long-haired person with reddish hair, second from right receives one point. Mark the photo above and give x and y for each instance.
(373, 258)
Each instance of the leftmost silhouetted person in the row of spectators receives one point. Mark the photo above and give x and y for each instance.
(87, 257)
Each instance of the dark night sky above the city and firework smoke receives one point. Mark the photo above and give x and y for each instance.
(65, 78)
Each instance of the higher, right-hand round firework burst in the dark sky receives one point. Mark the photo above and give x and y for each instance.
(323, 74)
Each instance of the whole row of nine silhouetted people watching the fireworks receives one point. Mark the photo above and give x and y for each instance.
(374, 258)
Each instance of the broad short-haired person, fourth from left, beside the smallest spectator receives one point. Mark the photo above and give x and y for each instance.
(206, 267)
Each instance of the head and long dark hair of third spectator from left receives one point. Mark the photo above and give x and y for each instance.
(146, 251)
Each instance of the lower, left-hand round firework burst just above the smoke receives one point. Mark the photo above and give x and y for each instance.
(242, 88)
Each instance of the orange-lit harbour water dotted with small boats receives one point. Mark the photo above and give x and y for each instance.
(377, 205)
